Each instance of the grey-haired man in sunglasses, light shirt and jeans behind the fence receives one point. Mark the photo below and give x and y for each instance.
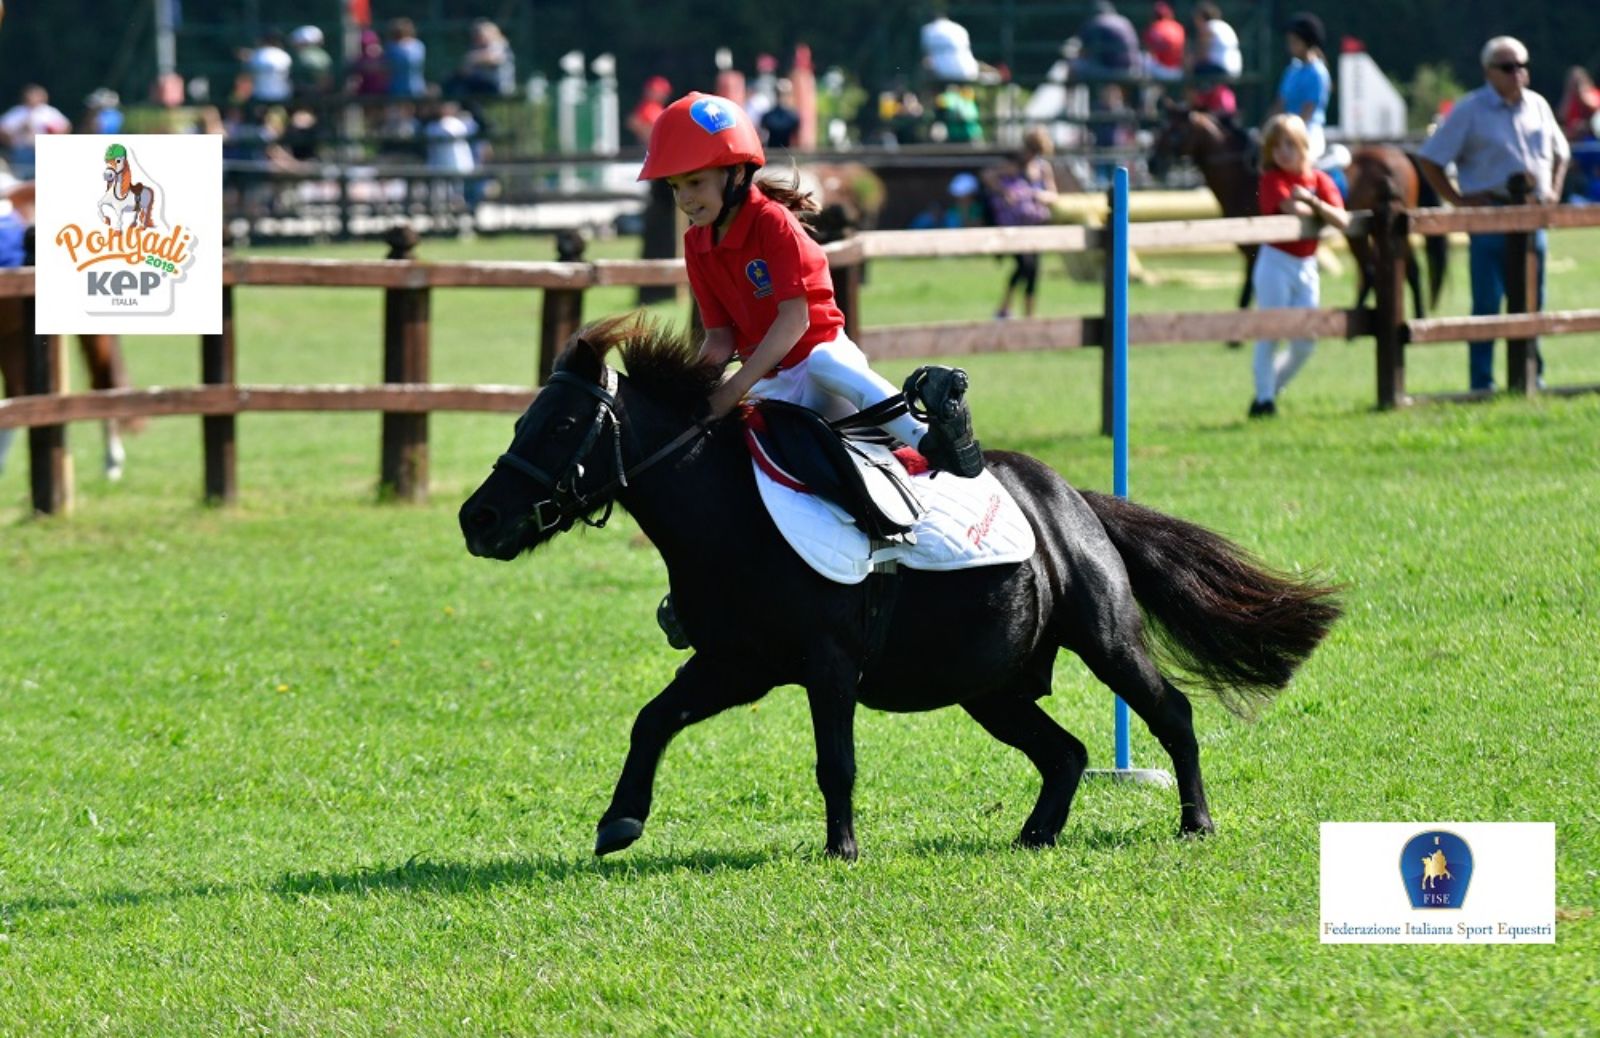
(1497, 132)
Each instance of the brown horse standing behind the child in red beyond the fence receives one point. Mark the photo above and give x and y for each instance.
(1228, 161)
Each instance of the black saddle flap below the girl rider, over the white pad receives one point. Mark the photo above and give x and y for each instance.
(799, 449)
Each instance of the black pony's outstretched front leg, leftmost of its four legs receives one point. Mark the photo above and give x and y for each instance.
(700, 690)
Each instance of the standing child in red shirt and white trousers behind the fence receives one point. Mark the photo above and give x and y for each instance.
(1286, 273)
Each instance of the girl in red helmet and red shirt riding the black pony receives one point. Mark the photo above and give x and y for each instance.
(764, 287)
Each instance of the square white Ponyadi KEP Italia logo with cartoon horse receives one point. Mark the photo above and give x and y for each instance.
(129, 234)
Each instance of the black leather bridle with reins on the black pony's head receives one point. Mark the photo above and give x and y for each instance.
(566, 503)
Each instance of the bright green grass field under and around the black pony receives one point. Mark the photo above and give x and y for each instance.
(308, 769)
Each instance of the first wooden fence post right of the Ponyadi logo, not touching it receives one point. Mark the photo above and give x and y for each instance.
(404, 473)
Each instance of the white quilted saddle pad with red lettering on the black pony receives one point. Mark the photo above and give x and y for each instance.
(967, 524)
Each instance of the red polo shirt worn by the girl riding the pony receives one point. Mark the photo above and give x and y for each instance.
(762, 260)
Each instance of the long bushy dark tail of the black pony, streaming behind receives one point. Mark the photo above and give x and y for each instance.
(1234, 626)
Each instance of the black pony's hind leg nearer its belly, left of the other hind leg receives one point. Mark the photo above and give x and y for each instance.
(1015, 719)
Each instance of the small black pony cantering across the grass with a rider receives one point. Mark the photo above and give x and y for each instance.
(980, 639)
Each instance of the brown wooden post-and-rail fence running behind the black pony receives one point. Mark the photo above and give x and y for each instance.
(409, 396)
